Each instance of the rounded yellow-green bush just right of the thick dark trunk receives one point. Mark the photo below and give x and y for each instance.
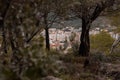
(101, 42)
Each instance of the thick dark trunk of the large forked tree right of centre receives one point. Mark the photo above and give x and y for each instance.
(84, 48)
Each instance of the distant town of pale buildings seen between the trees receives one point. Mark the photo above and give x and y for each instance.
(59, 38)
